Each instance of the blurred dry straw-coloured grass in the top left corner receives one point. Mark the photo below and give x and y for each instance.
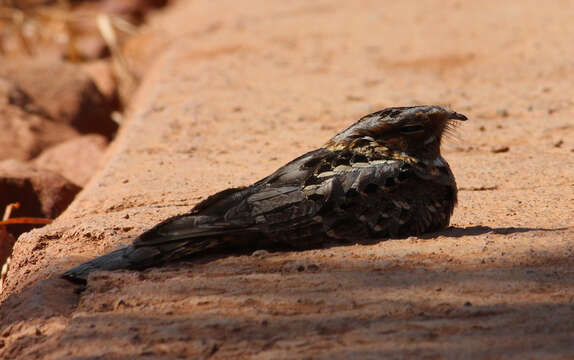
(34, 29)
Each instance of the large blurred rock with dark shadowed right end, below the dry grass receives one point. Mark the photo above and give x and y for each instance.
(64, 91)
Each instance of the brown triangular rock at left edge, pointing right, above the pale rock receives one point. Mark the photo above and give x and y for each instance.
(26, 130)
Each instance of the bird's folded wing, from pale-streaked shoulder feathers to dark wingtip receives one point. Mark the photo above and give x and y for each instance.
(314, 194)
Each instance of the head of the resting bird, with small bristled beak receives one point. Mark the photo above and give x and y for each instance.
(414, 130)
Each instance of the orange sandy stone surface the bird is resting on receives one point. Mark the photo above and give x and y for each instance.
(235, 90)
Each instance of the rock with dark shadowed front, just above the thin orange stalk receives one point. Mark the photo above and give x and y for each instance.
(41, 193)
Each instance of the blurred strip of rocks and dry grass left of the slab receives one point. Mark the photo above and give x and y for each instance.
(64, 83)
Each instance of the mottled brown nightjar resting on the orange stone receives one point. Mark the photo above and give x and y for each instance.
(382, 177)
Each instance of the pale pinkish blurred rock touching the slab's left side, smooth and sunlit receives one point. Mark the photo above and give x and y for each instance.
(76, 159)
